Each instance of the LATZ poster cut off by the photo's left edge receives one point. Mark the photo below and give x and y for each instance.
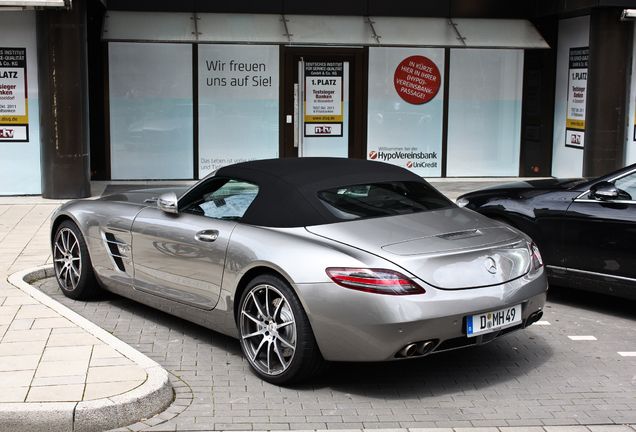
(14, 119)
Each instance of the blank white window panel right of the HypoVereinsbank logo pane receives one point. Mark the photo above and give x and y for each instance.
(484, 113)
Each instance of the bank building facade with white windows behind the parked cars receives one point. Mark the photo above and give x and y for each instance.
(147, 90)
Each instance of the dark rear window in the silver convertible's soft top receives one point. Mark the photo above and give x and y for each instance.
(382, 199)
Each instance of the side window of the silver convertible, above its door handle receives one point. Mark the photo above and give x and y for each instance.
(220, 198)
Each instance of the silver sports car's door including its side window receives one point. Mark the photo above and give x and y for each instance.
(182, 256)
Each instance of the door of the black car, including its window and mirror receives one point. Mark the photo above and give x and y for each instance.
(599, 234)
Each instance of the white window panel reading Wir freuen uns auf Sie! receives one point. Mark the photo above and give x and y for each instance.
(238, 104)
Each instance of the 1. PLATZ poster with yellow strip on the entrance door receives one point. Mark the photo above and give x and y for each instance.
(323, 99)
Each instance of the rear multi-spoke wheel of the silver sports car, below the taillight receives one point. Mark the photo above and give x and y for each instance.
(276, 336)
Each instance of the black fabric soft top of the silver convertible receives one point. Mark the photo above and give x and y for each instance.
(288, 187)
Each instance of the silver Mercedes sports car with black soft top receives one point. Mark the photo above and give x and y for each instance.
(307, 261)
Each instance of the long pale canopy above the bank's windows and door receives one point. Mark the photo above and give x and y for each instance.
(320, 30)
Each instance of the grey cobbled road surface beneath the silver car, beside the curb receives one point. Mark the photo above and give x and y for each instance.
(575, 367)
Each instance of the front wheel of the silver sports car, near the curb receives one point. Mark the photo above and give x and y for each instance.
(73, 268)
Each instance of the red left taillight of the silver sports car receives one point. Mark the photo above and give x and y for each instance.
(378, 281)
